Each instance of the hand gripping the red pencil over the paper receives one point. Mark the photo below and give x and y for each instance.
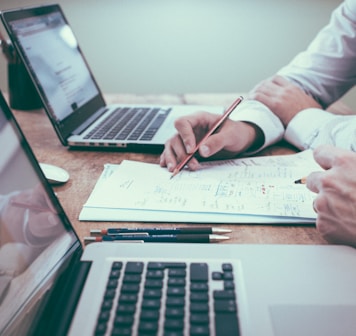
(232, 138)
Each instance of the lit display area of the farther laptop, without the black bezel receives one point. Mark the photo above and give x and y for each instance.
(52, 53)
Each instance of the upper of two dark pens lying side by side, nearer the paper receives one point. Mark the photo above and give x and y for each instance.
(159, 231)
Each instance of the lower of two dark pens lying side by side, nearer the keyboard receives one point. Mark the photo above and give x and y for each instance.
(185, 238)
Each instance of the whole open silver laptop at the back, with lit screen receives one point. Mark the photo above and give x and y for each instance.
(47, 46)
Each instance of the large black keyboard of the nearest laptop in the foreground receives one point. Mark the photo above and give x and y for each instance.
(160, 298)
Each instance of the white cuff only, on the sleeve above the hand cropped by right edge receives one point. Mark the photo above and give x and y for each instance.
(305, 126)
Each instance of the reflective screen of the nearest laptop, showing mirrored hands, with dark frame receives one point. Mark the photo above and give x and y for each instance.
(35, 235)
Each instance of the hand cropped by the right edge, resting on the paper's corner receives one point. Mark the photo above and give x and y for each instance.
(335, 203)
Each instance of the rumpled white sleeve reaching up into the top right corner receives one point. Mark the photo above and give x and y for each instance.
(326, 70)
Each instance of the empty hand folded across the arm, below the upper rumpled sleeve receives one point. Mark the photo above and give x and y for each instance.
(282, 97)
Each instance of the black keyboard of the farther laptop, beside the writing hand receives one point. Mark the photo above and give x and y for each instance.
(127, 123)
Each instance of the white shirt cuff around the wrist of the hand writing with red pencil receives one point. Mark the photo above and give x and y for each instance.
(254, 112)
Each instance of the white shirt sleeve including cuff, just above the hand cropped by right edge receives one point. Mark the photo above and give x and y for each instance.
(313, 127)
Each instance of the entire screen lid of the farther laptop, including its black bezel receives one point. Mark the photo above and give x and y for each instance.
(48, 48)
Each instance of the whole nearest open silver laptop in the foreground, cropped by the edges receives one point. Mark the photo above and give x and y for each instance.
(50, 285)
